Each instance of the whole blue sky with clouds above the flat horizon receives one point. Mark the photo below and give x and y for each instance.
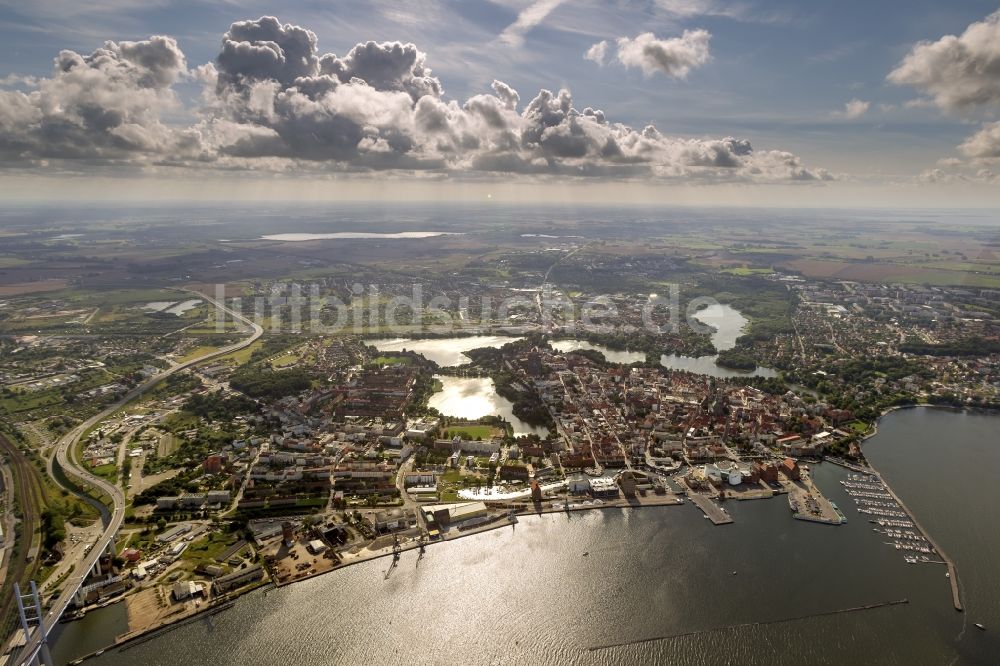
(675, 101)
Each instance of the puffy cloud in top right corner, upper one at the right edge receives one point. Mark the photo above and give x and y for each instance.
(957, 72)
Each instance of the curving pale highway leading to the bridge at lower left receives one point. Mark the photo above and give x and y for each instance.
(64, 456)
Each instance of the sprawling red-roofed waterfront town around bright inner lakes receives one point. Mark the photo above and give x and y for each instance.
(172, 448)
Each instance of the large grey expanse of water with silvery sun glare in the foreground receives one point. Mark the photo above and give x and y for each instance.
(551, 547)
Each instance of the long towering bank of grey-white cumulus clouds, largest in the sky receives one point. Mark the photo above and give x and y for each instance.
(273, 100)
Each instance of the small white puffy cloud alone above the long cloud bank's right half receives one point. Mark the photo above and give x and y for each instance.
(674, 57)
